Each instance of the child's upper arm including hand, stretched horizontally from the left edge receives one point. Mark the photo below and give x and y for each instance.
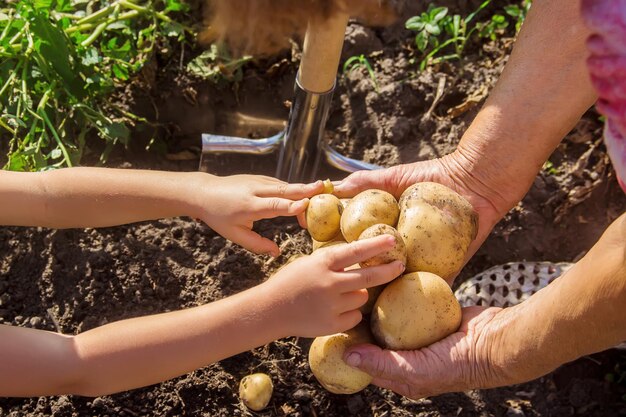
(99, 197)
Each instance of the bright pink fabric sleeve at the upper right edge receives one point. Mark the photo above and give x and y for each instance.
(607, 68)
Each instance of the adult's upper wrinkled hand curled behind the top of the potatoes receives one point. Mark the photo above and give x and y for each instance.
(447, 171)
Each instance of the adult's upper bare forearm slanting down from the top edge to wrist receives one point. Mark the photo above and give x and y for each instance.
(539, 97)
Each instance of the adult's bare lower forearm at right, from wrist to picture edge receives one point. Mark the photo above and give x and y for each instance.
(580, 313)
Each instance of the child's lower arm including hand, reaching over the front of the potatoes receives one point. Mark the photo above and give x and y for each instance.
(142, 351)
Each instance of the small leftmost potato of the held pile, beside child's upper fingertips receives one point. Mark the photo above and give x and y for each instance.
(323, 216)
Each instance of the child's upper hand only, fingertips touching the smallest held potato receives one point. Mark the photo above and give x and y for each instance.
(230, 205)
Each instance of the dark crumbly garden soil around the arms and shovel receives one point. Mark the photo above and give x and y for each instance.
(74, 280)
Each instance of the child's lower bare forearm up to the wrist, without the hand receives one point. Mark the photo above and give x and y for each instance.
(138, 352)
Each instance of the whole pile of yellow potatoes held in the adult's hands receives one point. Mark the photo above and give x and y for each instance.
(433, 227)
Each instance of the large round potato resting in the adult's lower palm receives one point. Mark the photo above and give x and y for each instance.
(414, 311)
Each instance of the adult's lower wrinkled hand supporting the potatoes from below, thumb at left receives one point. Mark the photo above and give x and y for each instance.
(459, 362)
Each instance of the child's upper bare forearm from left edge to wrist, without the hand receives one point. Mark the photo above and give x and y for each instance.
(93, 197)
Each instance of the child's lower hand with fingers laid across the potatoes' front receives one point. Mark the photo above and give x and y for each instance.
(316, 296)
